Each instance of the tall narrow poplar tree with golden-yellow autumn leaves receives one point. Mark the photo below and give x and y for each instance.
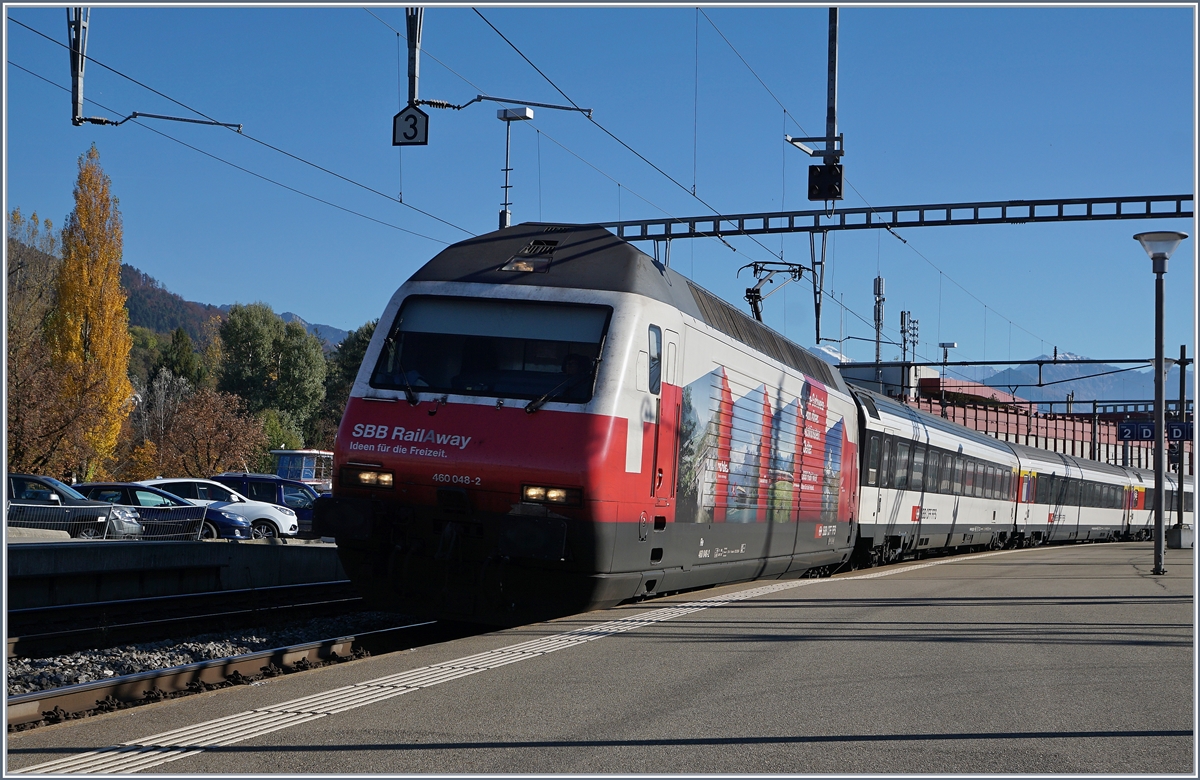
(88, 332)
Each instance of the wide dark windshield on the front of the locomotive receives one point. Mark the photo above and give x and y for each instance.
(472, 346)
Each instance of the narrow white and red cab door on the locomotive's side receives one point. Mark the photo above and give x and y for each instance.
(664, 347)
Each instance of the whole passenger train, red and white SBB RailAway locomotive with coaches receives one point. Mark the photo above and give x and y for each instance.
(548, 422)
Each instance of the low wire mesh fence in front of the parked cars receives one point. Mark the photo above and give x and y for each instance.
(159, 524)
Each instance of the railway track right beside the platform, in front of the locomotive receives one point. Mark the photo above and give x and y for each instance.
(37, 709)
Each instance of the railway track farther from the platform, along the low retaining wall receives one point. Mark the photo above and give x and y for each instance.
(41, 632)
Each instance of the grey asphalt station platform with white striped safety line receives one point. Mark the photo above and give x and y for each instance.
(1048, 661)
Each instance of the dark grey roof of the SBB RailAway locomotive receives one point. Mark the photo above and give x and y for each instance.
(590, 257)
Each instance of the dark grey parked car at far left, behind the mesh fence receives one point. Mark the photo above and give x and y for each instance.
(44, 502)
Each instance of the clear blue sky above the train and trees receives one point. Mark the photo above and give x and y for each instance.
(937, 105)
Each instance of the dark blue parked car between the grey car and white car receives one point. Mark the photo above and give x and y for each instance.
(166, 517)
